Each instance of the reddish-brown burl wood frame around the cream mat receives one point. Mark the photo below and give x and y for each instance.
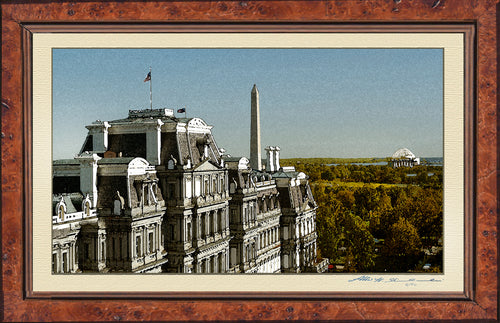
(477, 20)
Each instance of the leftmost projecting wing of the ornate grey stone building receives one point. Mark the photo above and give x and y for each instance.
(121, 231)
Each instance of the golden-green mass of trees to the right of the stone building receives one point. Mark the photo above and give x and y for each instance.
(378, 219)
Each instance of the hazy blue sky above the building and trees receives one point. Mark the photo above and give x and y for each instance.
(314, 102)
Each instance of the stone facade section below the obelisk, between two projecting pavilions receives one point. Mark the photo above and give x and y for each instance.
(254, 219)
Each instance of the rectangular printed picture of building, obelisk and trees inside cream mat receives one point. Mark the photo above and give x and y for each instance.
(247, 160)
